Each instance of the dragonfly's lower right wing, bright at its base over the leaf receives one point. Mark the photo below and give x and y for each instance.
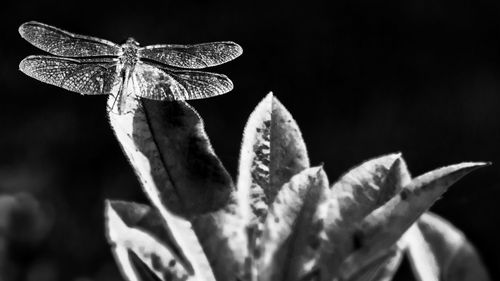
(161, 83)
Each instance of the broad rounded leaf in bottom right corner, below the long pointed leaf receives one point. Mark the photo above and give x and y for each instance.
(455, 258)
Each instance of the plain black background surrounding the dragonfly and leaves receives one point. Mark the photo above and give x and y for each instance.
(362, 78)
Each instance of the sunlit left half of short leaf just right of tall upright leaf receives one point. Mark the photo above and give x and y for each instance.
(274, 245)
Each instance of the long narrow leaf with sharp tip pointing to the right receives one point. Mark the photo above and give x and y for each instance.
(384, 226)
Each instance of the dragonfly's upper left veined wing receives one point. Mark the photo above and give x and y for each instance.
(63, 43)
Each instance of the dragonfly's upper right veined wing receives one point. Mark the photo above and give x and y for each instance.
(192, 56)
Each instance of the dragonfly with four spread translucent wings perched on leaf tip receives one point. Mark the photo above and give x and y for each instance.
(94, 66)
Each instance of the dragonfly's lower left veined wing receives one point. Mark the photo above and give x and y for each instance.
(90, 76)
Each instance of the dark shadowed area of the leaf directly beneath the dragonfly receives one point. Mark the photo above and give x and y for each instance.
(197, 176)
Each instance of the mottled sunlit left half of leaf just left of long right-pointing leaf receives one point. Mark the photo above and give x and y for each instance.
(356, 194)
